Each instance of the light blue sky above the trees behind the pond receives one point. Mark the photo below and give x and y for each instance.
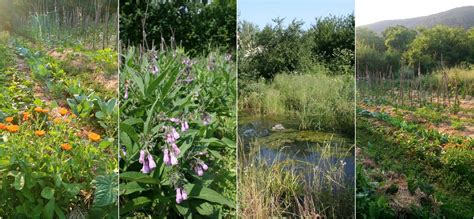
(261, 12)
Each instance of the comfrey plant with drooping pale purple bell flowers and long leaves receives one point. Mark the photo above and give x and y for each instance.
(175, 126)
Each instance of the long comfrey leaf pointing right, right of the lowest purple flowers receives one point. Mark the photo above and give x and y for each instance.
(200, 192)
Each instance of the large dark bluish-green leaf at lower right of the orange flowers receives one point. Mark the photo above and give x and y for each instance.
(106, 192)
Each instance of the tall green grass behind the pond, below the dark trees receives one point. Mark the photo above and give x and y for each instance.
(318, 101)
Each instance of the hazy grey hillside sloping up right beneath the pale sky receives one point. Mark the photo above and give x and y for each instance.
(459, 17)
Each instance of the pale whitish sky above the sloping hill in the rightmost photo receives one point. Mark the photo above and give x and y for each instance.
(371, 11)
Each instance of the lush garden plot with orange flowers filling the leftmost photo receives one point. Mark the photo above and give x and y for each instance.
(58, 124)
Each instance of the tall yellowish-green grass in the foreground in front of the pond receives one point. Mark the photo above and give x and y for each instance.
(276, 190)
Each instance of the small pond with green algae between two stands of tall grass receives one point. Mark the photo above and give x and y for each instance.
(276, 140)
